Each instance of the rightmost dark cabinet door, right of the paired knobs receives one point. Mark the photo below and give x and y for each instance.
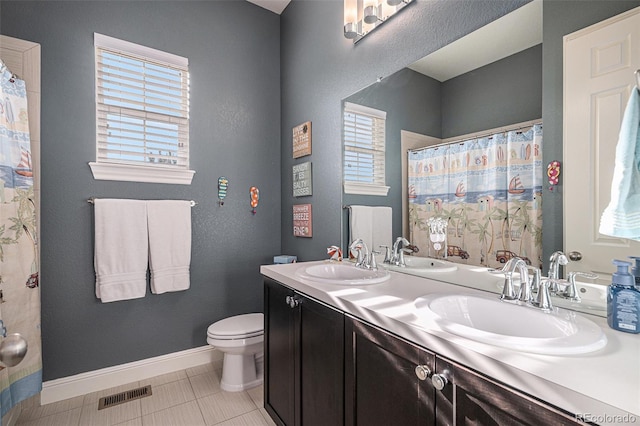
(472, 399)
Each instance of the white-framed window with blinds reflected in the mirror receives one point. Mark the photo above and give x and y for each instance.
(364, 150)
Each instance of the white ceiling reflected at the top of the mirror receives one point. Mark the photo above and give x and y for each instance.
(486, 45)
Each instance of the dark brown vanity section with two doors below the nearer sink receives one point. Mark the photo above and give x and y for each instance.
(389, 381)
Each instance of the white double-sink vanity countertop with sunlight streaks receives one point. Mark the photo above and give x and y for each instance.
(603, 384)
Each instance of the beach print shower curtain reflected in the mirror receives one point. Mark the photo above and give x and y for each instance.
(489, 191)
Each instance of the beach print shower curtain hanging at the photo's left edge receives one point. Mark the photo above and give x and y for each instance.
(19, 289)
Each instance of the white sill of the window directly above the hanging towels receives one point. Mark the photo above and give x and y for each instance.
(129, 173)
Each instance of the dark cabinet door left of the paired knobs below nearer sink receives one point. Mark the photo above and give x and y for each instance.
(381, 385)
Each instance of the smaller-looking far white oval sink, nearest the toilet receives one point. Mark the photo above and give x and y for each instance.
(342, 274)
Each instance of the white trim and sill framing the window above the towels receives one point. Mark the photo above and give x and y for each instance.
(133, 172)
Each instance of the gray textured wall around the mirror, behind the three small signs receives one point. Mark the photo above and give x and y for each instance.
(320, 68)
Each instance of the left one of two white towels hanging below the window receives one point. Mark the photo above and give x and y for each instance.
(121, 249)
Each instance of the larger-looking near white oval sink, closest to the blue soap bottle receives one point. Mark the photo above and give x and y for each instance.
(506, 324)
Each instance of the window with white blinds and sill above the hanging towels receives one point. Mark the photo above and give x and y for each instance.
(142, 113)
